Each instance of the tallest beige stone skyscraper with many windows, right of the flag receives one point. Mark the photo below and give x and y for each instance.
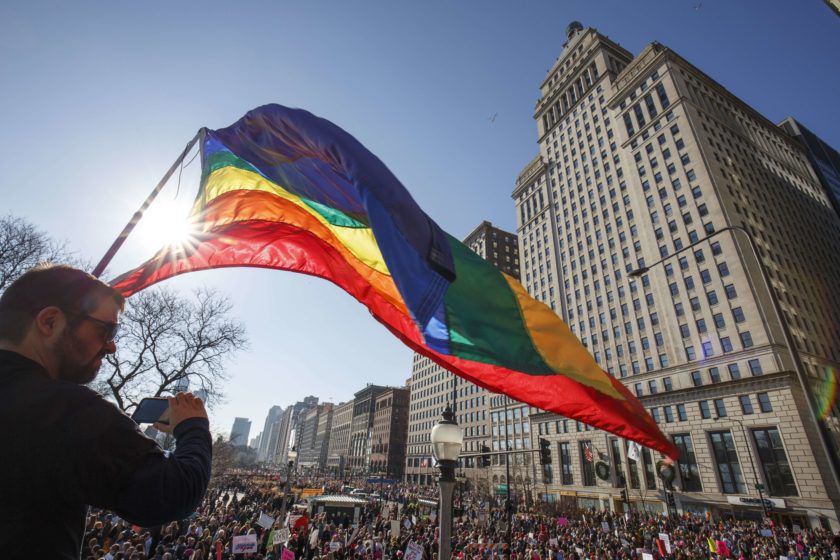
(647, 158)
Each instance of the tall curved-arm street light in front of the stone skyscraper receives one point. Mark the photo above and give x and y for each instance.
(791, 347)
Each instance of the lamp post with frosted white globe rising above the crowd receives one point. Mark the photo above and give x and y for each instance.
(447, 439)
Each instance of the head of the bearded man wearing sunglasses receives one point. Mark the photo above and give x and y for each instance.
(63, 318)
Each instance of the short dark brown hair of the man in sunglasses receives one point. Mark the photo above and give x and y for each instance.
(48, 285)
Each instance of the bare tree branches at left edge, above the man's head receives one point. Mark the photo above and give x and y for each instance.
(22, 246)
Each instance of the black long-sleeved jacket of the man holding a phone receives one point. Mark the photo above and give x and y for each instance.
(65, 447)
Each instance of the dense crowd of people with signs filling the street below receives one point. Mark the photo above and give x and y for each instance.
(240, 505)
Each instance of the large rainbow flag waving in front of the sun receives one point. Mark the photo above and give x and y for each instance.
(284, 189)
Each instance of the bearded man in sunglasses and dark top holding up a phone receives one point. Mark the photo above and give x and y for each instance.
(65, 446)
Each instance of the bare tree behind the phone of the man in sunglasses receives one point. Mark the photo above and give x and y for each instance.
(168, 342)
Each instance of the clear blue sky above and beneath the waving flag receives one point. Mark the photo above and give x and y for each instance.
(98, 98)
